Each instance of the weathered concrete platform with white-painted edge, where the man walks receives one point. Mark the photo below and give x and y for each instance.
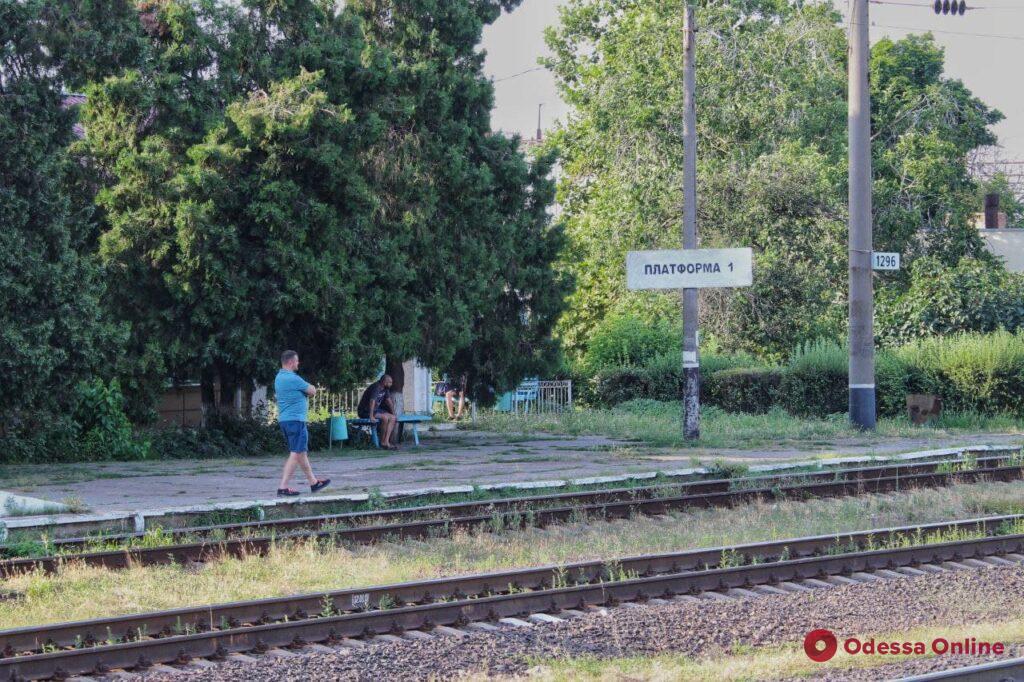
(449, 461)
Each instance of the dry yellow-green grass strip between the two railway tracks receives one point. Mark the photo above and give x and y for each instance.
(79, 592)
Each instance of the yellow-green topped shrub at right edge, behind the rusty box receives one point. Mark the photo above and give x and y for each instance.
(971, 372)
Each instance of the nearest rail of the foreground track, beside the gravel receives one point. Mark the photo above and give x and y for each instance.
(217, 644)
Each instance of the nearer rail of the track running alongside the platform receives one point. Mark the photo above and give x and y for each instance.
(203, 551)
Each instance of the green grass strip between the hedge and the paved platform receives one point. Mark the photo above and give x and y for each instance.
(659, 424)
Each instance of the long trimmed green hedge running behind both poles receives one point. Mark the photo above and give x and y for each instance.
(982, 373)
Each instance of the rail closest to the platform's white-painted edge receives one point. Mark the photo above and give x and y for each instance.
(578, 498)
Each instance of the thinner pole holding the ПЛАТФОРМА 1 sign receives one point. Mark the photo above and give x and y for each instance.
(692, 366)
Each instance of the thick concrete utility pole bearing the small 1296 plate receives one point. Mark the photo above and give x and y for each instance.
(862, 287)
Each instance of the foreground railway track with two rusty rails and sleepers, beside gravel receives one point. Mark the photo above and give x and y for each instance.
(216, 632)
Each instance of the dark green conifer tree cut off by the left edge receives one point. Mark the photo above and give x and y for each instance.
(53, 329)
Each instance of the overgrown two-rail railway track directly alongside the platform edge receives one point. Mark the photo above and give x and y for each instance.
(418, 523)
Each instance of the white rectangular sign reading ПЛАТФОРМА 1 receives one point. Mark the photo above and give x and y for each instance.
(690, 269)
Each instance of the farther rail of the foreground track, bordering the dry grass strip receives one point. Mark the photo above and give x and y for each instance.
(293, 608)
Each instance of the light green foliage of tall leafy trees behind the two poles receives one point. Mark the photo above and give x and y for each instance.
(773, 167)
